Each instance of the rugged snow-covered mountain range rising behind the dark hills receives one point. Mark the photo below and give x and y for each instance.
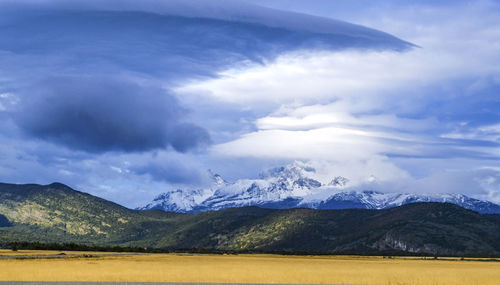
(291, 187)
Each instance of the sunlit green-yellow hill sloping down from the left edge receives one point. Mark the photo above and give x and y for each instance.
(55, 212)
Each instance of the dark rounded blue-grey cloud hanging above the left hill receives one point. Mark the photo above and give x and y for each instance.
(99, 114)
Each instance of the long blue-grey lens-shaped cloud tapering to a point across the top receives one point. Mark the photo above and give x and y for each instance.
(173, 45)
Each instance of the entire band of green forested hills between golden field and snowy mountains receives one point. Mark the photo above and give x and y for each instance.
(57, 213)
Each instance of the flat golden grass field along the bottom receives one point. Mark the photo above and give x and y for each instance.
(249, 269)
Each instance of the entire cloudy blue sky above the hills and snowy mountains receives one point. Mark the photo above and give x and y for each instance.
(127, 99)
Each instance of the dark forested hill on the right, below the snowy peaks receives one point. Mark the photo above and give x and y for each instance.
(415, 228)
